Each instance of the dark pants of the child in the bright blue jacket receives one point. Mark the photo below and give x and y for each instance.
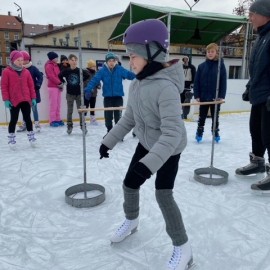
(110, 115)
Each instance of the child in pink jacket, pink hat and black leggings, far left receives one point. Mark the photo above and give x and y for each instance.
(18, 93)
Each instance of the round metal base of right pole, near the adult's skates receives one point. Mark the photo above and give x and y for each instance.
(211, 176)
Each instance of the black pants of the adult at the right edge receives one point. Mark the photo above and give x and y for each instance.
(259, 126)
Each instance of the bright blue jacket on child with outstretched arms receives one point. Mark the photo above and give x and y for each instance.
(111, 79)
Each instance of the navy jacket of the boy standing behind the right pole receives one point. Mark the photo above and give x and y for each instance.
(205, 84)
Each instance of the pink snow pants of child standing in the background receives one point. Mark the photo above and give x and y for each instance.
(55, 103)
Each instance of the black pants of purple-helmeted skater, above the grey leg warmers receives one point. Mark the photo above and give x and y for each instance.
(165, 176)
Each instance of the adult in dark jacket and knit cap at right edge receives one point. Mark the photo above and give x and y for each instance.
(258, 89)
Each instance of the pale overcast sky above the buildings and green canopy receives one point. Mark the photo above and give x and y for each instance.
(62, 12)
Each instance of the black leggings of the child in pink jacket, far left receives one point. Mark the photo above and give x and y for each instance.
(25, 107)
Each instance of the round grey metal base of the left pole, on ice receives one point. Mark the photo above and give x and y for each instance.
(81, 192)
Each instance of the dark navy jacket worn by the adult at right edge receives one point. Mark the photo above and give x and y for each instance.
(259, 67)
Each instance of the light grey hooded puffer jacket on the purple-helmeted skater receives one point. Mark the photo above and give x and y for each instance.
(154, 111)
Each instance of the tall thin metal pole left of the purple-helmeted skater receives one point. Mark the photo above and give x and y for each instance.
(82, 114)
